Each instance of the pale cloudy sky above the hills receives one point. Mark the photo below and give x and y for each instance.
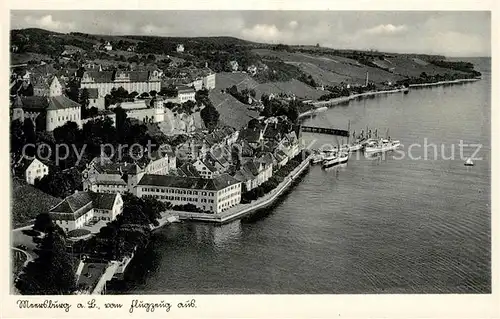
(450, 33)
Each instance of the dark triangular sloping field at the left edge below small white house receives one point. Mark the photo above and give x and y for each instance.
(27, 202)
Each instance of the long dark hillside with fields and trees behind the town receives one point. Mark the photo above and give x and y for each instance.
(290, 69)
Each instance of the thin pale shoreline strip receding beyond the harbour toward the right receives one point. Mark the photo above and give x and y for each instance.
(321, 106)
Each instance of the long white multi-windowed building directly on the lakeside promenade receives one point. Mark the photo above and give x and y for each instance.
(214, 195)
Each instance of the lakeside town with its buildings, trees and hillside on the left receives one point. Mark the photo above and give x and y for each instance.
(215, 137)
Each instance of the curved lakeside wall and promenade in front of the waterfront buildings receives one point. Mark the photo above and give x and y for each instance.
(245, 209)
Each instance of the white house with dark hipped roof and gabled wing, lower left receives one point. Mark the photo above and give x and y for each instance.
(82, 208)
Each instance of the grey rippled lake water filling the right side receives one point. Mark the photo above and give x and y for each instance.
(379, 225)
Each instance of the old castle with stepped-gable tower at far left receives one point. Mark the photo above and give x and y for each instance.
(47, 112)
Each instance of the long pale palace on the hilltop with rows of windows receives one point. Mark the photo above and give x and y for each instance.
(139, 81)
